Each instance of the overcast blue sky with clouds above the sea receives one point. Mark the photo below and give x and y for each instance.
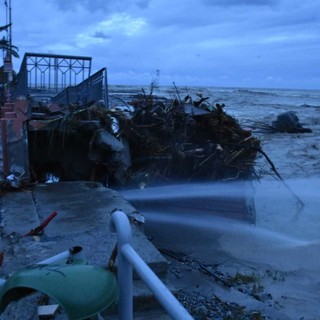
(238, 43)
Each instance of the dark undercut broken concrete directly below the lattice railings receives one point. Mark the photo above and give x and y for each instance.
(76, 145)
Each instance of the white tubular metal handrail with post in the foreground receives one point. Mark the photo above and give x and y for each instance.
(128, 258)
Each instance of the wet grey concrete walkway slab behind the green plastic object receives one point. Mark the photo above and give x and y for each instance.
(83, 219)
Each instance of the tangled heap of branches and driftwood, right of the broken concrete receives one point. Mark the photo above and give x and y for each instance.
(174, 140)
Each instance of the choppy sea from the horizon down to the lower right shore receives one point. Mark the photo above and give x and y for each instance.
(284, 240)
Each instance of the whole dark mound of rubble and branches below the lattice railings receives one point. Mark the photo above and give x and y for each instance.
(148, 140)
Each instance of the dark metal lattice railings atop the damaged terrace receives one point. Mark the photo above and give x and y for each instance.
(64, 79)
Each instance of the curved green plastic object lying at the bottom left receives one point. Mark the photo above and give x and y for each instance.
(81, 290)
